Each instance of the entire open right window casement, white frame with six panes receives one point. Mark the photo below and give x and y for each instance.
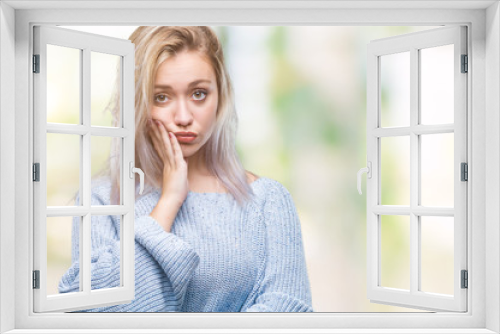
(417, 172)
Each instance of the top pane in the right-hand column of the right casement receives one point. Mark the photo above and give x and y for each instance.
(437, 82)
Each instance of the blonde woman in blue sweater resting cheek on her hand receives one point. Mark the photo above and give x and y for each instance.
(209, 236)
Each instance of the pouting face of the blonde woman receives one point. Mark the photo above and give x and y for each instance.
(185, 99)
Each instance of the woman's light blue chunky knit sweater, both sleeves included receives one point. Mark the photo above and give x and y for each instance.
(218, 257)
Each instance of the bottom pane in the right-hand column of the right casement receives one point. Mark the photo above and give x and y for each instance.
(436, 237)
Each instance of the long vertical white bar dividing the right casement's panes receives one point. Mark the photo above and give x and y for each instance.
(414, 173)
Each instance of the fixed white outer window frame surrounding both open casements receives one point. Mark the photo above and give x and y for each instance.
(483, 21)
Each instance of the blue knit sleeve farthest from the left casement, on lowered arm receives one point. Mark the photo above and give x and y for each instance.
(283, 282)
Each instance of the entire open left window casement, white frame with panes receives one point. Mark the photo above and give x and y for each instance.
(71, 71)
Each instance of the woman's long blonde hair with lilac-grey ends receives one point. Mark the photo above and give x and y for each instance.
(153, 45)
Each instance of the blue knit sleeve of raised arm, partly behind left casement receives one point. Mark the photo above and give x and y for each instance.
(164, 264)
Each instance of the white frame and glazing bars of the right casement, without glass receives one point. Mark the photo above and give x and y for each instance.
(413, 44)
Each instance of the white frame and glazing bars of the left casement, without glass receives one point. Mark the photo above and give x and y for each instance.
(86, 44)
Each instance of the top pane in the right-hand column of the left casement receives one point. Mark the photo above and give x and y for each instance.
(105, 89)
